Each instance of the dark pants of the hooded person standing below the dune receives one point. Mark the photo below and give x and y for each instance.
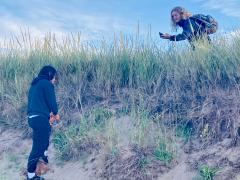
(41, 133)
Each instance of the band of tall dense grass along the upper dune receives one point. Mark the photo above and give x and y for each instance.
(171, 81)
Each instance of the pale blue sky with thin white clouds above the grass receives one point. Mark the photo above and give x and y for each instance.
(97, 18)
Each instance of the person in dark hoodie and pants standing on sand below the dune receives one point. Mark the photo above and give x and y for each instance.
(41, 102)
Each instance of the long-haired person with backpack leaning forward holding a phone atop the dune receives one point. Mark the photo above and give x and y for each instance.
(195, 27)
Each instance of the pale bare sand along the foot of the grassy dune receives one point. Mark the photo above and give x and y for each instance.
(14, 152)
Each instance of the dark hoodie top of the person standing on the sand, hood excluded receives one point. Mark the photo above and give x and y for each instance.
(42, 99)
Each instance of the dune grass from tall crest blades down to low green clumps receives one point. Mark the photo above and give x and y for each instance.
(167, 89)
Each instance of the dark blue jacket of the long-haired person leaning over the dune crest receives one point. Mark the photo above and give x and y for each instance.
(192, 30)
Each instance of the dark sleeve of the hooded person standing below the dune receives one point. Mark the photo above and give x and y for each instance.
(50, 97)
